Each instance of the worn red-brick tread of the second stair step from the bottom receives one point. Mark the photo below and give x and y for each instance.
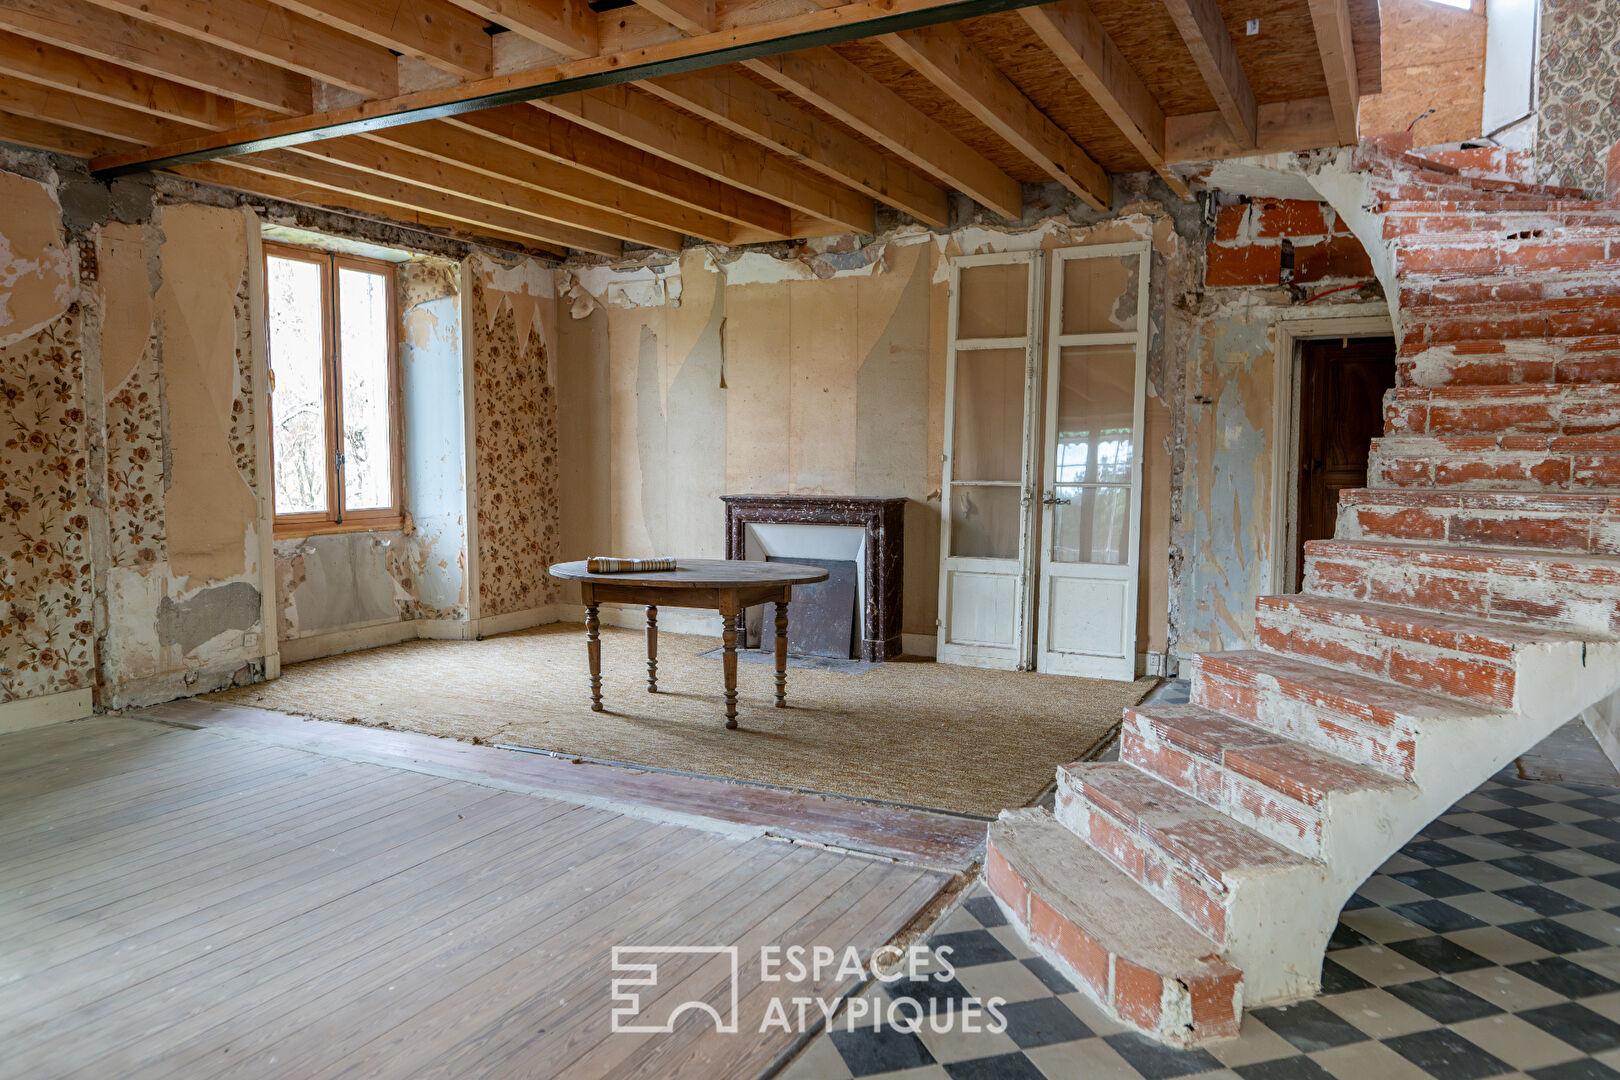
(1192, 833)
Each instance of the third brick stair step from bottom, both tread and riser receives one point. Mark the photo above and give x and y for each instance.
(1269, 783)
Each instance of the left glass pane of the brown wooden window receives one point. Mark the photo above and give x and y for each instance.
(299, 401)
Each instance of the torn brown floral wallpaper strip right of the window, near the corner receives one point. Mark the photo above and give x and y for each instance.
(516, 448)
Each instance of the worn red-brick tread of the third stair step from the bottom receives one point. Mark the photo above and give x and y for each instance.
(1273, 760)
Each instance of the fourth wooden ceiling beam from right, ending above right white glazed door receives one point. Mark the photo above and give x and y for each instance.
(945, 57)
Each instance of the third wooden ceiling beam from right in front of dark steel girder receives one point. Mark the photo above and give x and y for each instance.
(433, 32)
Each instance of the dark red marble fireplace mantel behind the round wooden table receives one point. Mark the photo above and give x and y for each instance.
(884, 522)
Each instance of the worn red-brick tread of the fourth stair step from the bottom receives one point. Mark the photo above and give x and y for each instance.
(1375, 702)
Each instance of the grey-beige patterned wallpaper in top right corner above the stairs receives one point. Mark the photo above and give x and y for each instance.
(1580, 91)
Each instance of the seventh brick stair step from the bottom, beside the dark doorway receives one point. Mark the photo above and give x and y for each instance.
(1516, 521)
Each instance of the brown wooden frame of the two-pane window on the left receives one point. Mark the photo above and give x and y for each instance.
(335, 519)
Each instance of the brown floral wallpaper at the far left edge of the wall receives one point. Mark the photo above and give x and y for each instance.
(46, 624)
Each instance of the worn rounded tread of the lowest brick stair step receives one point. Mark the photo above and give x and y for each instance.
(1093, 895)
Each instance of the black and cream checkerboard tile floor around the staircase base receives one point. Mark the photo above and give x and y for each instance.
(1490, 946)
